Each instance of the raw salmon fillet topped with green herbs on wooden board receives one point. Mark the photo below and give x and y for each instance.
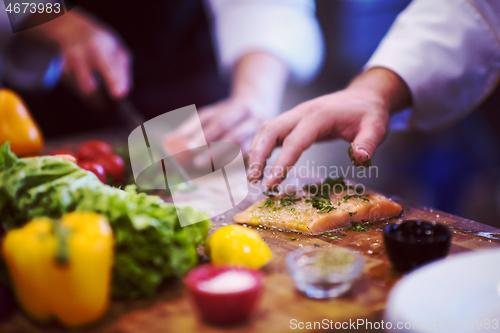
(308, 214)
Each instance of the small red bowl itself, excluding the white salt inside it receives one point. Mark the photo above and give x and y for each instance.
(223, 308)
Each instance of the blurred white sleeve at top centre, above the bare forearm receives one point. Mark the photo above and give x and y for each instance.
(286, 28)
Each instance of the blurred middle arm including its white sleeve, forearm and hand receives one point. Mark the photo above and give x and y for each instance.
(261, 43)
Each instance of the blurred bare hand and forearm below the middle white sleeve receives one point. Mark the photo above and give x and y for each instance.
(258, 83)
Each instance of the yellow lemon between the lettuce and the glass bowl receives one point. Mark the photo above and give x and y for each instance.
(237, 245)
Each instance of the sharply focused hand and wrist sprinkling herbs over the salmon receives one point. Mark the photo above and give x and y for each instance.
(358, 114)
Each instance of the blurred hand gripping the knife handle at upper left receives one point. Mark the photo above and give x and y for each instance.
(92, 53)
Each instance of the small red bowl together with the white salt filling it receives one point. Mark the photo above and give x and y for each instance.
(224, 295)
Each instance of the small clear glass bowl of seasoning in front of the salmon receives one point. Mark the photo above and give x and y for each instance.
(324, 272)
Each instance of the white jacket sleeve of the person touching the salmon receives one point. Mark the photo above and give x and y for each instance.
(448, 53)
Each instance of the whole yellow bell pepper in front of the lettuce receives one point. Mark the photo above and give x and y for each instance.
(62, 268)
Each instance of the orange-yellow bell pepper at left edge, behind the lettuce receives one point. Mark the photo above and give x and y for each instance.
(17, 125)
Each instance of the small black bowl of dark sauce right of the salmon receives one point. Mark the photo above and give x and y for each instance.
(412, 244)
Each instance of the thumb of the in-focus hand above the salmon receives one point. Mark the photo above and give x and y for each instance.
(371, 134)
